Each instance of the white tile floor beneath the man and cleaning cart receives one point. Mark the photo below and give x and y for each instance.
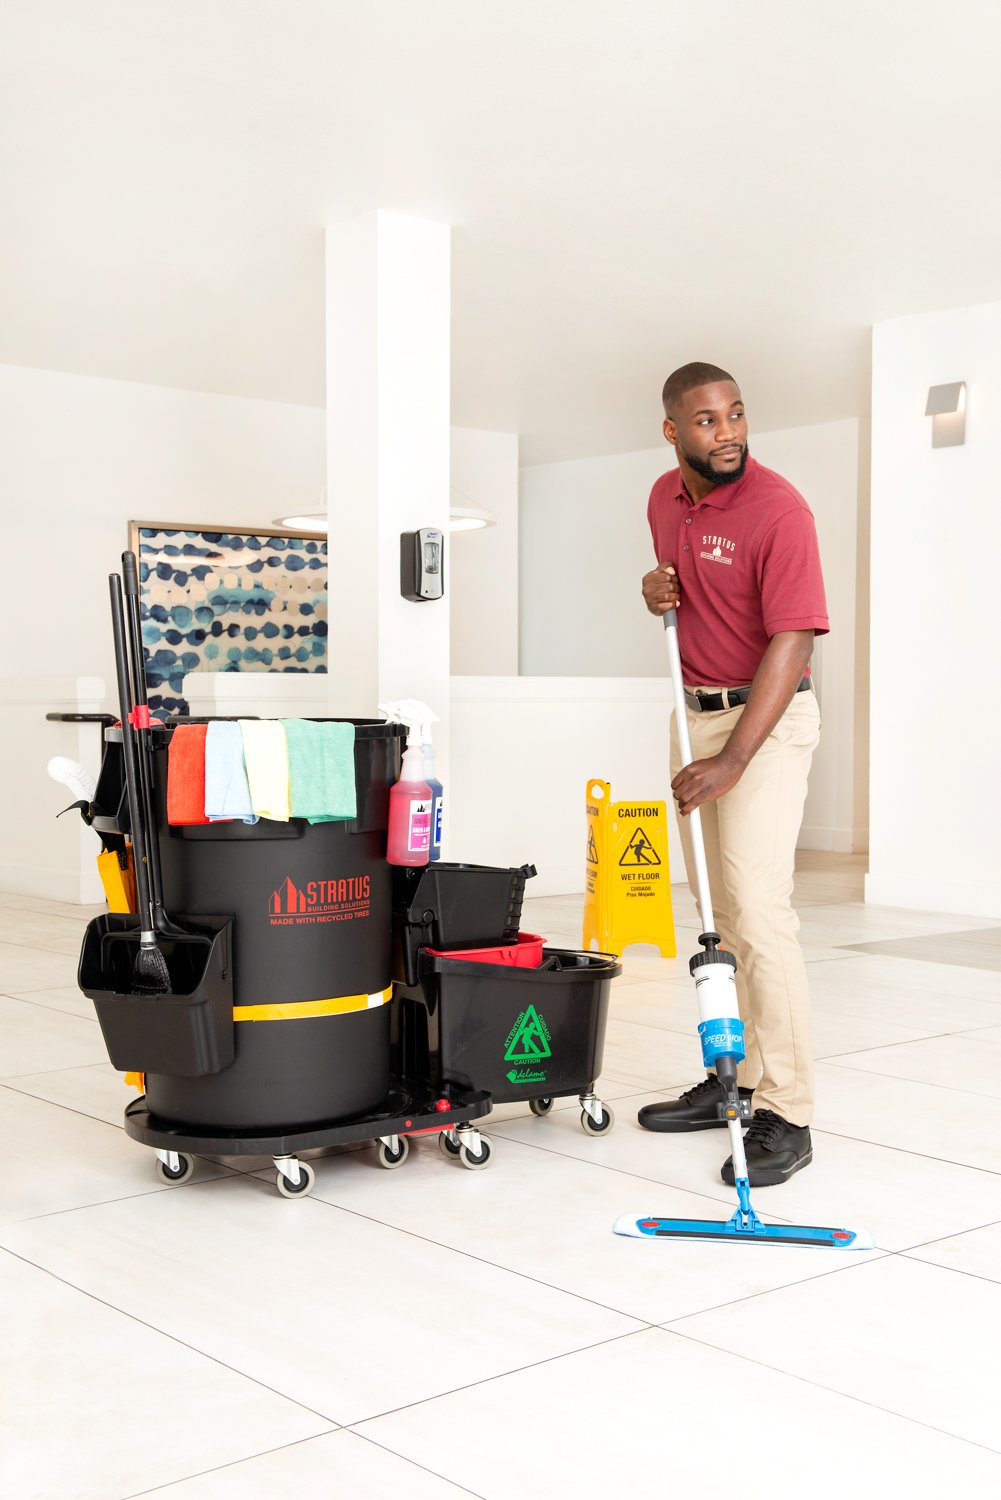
(442, 1333)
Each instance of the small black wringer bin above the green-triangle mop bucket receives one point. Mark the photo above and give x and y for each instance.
(454, 907)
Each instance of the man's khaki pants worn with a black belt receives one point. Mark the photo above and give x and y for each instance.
(750, 850)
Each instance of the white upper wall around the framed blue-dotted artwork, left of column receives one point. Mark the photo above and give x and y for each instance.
(80, 457)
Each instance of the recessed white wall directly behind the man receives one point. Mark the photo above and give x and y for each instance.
(586, 545)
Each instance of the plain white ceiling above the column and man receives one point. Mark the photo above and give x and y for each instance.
(633, 184)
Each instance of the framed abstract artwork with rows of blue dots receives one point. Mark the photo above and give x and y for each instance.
(220, 599)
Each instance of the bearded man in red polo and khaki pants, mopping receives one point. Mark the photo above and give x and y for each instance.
(738, 556)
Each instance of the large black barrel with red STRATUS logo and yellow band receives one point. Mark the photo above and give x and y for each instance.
(311, 962)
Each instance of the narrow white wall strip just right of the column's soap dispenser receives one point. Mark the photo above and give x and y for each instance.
(484, 565)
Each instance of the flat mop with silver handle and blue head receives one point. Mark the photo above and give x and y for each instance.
(723, 1037)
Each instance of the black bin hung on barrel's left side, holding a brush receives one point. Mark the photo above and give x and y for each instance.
(188, 1033)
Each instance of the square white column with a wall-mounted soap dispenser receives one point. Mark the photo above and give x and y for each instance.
(388, 458)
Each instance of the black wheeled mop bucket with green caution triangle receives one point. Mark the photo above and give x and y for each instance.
(520, 1034)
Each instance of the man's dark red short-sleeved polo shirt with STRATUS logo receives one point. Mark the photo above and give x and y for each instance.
(750, 566)
